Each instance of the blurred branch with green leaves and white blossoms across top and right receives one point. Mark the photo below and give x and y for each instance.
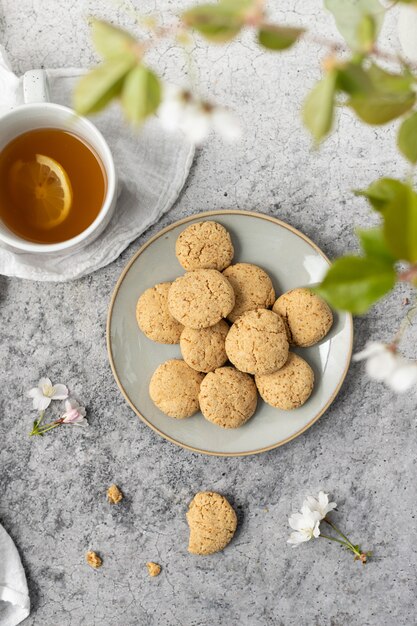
(353, 78)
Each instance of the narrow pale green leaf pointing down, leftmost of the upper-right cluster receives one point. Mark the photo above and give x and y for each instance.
(318, 109)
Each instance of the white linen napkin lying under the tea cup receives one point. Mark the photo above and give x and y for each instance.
(152, 166)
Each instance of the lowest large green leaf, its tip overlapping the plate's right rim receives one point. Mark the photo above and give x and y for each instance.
(355, 283)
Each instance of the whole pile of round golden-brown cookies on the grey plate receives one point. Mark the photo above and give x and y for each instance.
(233, 345)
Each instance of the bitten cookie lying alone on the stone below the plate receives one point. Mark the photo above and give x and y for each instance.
(212, 522)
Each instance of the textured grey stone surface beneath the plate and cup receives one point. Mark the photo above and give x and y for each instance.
(362, 451)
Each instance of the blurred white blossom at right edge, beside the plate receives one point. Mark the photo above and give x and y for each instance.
(385, 365)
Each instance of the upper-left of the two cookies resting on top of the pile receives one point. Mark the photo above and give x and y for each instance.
(200, 298)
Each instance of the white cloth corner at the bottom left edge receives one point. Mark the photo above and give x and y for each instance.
(14, 595)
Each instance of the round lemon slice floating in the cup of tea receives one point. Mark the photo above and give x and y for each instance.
(43, 187)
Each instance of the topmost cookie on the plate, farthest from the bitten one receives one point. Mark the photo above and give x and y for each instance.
(204, 245)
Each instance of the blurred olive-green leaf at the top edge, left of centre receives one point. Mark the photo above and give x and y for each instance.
(216, 22)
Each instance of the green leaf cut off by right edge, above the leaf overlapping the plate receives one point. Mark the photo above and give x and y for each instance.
(400, 224)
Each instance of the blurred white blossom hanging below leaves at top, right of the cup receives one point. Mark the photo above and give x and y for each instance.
(181, 110)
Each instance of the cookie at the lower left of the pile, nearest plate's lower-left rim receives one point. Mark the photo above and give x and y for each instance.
(174, 389)
